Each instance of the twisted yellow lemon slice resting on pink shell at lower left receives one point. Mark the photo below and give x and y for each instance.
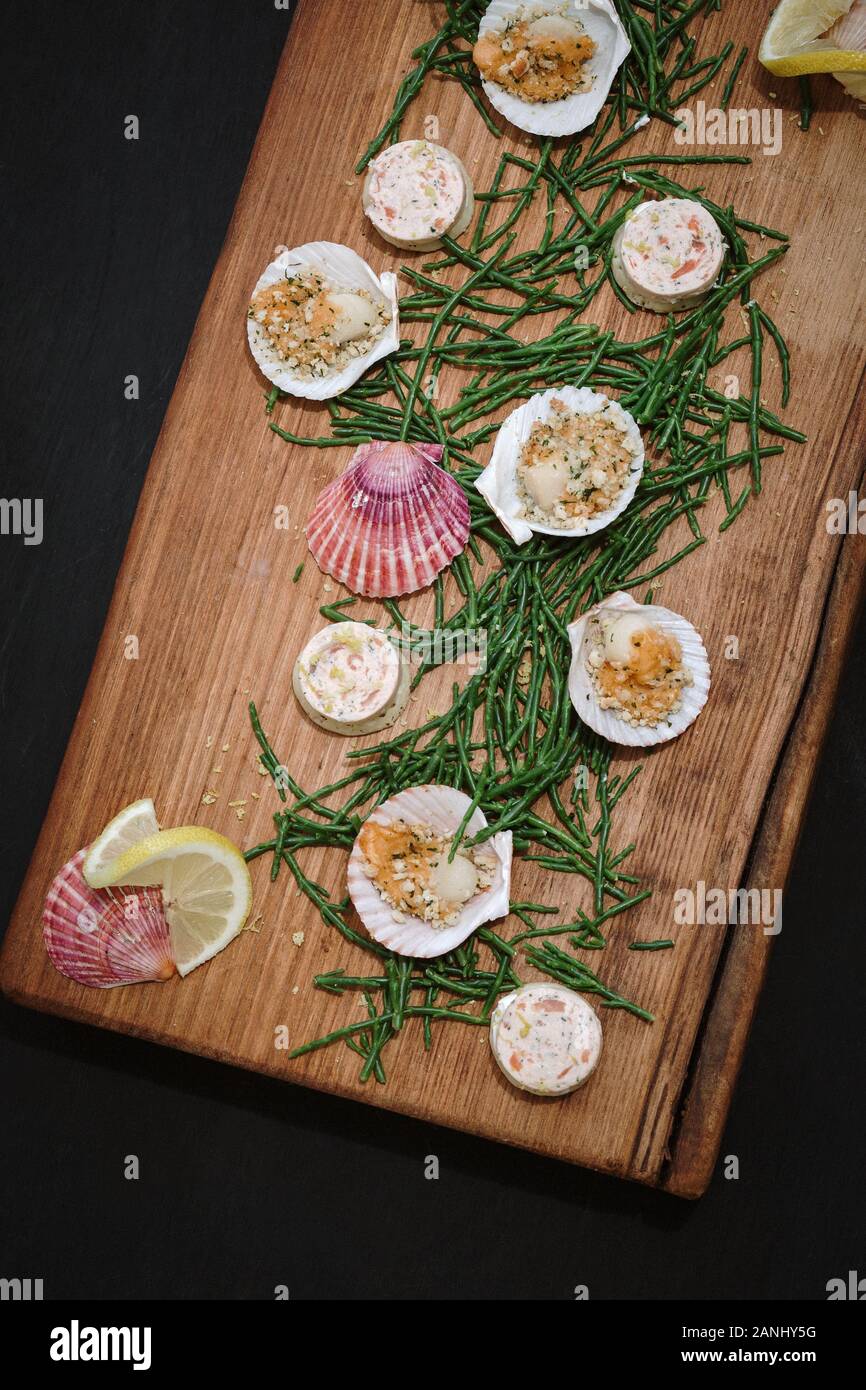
(206, 888)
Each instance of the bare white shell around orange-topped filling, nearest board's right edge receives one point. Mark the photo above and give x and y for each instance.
(605, 721)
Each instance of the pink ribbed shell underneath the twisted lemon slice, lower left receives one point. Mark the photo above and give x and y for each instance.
(105, 938)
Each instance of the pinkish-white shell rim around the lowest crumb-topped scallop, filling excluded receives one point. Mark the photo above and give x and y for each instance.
(443, 808)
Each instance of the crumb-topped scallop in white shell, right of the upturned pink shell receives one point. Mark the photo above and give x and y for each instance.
(501, 482)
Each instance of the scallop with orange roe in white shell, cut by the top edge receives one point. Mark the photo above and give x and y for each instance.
(596, 19)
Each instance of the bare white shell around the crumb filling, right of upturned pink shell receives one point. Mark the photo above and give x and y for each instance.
(498, 483)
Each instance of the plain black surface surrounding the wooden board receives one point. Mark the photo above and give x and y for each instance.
(248, 1184)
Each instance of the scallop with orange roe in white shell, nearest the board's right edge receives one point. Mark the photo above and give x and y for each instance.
(603, 636)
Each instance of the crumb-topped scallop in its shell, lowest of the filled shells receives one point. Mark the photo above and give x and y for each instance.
(436, 812)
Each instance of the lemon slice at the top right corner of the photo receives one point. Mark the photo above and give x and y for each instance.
(797, 40)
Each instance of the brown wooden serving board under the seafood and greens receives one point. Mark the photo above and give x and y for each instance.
(206, 589)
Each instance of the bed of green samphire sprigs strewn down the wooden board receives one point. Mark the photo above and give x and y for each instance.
(509, 737)
